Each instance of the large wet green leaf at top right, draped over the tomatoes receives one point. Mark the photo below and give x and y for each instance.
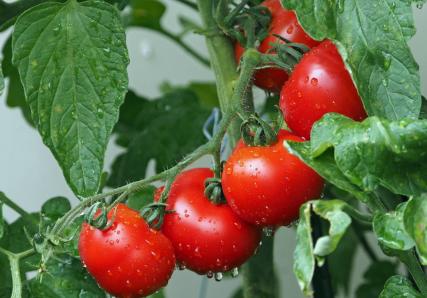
(372, 37)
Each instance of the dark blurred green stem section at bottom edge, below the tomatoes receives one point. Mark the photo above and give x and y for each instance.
(259, 277)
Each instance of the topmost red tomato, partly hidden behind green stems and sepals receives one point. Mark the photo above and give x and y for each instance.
(284, 23)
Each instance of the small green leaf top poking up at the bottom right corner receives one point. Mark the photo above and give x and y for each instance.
(399, 286)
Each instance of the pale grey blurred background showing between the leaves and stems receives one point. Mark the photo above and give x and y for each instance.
(30, 175)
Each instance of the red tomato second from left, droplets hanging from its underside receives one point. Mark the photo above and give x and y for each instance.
(206, 237)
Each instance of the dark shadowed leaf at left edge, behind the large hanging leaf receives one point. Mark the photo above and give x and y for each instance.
(15, 97)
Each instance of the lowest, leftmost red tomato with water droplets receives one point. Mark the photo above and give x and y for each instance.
(128, 259)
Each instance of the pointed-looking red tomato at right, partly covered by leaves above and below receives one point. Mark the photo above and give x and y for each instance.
(318, 85)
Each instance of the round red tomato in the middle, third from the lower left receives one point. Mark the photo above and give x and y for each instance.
(266, 186)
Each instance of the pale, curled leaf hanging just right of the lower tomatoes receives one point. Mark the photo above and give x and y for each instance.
(305, 251)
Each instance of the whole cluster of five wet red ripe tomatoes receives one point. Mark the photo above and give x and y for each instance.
(264, 186)
